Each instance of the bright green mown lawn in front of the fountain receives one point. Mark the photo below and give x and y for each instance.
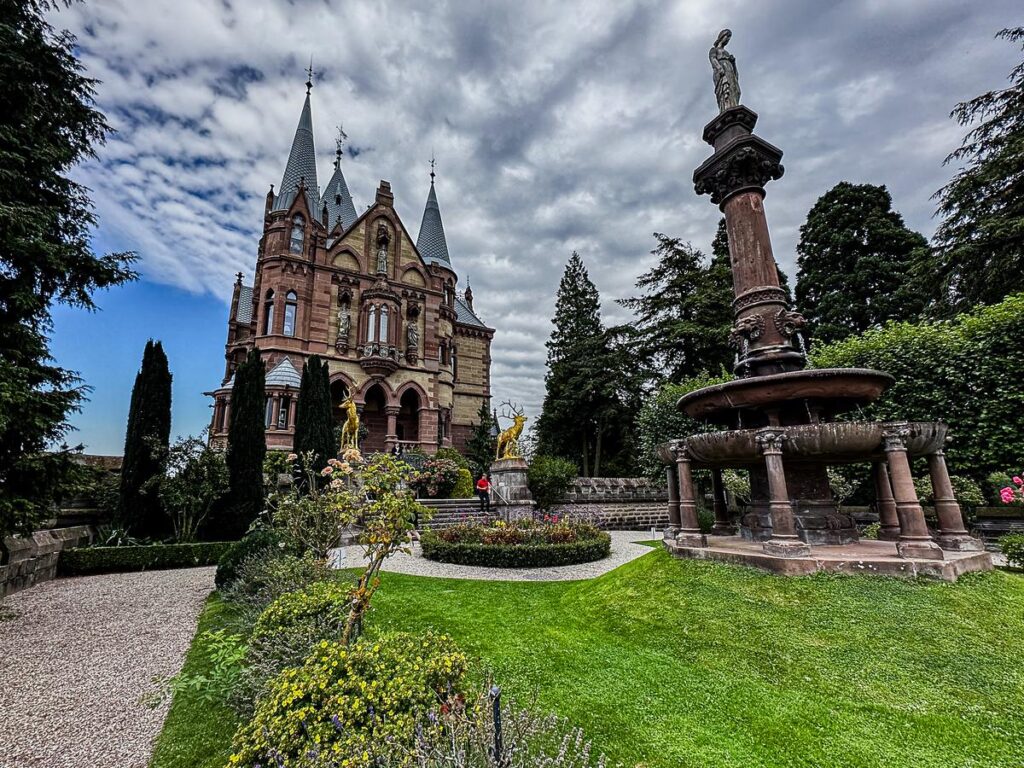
(670, 663)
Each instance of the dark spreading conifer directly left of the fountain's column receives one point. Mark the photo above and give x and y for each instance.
(685, 314)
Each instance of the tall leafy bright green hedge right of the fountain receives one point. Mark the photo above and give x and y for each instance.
(966, 372)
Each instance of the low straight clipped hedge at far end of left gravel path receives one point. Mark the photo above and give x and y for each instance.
(144, 558)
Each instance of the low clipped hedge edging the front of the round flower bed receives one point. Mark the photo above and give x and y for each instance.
(516, 556)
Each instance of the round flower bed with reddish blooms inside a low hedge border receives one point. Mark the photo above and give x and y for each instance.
(526, 544)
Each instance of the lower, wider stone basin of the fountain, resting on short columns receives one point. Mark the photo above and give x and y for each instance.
(834, 443)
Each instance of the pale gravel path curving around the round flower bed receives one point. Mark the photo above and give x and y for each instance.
(624, 549)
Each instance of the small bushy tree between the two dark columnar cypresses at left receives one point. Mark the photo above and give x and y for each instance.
(195, 479)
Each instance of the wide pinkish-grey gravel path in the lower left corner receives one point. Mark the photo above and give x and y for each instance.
(78, 657)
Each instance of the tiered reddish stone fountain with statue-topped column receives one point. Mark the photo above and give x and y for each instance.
(782, 420)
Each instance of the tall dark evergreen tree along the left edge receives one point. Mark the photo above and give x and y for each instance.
(49, 125)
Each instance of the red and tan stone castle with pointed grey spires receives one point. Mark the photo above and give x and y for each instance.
(385, 311)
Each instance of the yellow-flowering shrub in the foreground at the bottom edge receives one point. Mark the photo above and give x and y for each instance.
(357, 707)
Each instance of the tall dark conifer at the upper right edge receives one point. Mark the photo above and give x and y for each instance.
(980, 243)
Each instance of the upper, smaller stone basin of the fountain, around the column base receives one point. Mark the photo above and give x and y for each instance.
(831, 391)
